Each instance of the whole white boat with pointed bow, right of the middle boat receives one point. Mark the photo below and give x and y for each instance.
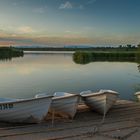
(101, 101)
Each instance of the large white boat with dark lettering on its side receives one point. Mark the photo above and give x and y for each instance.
(24, 110)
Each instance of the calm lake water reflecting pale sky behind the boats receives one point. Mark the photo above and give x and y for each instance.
(35, 73)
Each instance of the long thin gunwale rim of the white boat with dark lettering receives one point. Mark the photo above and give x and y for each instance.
(25, 100)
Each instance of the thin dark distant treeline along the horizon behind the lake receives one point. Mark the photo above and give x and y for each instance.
(77, 48)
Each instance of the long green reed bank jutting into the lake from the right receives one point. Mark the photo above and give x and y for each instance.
(84, 57)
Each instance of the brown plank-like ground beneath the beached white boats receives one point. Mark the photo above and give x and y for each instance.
(121, 122)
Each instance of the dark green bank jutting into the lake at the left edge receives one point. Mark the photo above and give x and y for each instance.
(7, 53)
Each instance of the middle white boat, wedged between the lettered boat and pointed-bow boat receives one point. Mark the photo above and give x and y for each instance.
(65, 103)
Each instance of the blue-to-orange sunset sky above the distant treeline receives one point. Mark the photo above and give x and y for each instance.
(69, 22)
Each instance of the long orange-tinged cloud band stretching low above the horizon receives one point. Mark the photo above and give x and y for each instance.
(69, 39)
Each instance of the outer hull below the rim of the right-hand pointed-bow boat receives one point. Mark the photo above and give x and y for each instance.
(102, 102)
